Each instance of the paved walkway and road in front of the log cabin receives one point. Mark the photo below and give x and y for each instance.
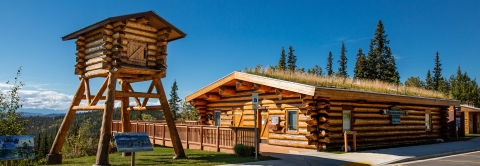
(297, 156)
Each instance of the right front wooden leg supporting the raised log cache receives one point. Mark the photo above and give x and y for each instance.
(175, 138)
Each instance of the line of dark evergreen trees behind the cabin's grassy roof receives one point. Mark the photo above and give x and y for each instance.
(379, 64)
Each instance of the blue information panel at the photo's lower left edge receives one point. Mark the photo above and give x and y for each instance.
(17, 147)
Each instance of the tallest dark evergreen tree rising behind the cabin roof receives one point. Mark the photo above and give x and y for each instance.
(380, 59)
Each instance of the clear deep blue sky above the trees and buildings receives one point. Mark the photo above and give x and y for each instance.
(225, 36)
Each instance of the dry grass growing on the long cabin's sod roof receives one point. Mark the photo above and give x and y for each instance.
(345, 83)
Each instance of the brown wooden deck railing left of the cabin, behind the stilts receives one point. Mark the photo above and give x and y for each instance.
(212, 138)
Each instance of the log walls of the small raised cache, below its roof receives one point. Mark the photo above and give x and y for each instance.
(114, 44)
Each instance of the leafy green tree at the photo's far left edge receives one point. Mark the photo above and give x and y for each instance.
(10, 121)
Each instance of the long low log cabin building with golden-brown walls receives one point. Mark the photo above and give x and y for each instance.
(300, 115)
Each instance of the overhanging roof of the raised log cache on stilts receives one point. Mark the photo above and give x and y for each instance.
(155, 21)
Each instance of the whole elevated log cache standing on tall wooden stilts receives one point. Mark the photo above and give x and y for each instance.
(128, 49)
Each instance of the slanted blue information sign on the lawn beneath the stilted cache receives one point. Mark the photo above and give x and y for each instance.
(132, 142)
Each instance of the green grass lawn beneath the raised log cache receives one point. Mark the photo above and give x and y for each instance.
(163, 156)
